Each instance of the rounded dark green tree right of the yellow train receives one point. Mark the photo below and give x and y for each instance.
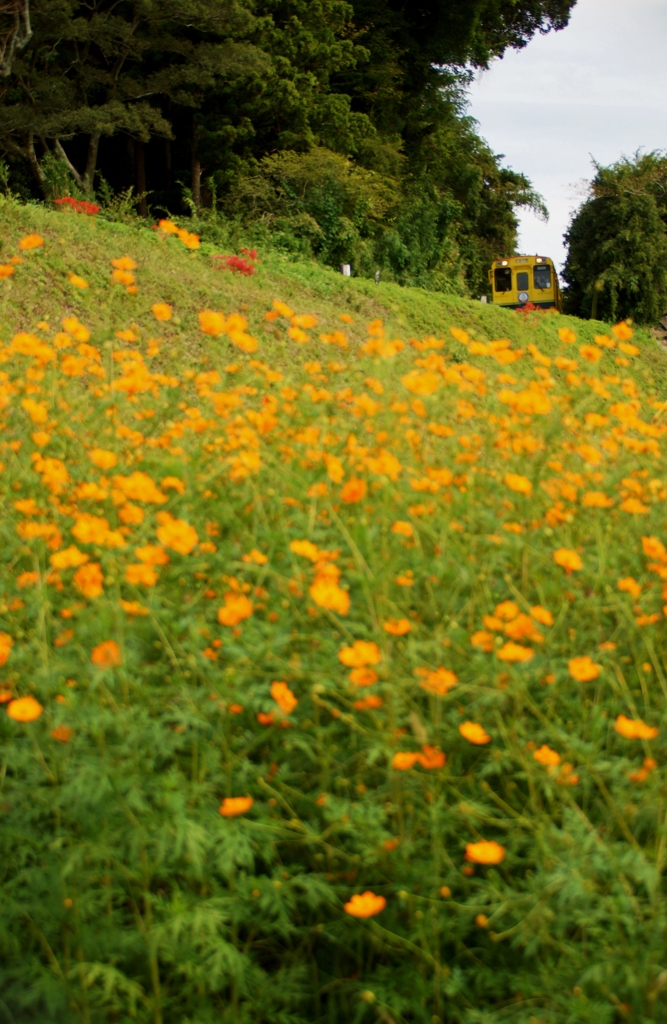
(617, 259)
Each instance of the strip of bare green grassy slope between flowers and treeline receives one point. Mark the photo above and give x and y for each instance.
(168, 272)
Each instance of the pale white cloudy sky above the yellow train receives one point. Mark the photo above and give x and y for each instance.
(598, 90)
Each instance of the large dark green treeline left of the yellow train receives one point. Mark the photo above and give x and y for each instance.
(338, 129)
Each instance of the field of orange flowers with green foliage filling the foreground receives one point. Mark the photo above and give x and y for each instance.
(332, 685)
